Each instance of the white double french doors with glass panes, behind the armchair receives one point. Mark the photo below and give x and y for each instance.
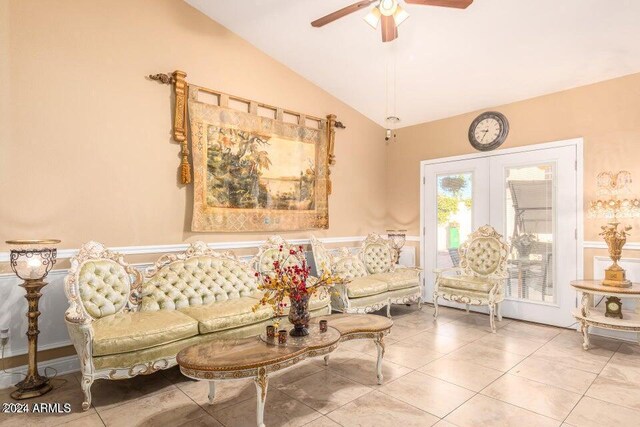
(533, 198)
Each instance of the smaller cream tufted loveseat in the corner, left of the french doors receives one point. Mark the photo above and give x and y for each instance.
(374, 281)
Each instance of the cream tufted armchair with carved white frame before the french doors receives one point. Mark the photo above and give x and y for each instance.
(480, 278)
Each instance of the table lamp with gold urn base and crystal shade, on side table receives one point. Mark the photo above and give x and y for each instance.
(612, 205)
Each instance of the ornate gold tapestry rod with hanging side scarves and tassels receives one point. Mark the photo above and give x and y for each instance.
(180, 87)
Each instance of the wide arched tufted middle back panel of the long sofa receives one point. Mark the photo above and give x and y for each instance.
(197, 280)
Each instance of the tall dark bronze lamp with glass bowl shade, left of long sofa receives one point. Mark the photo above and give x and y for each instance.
(31, 261)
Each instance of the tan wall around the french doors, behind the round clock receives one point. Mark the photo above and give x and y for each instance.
(606, 115)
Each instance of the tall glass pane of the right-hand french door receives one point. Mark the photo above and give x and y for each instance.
(529, 229)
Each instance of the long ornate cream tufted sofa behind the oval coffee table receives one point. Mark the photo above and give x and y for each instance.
(123, 324)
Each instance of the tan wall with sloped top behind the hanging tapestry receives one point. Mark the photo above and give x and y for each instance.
(86, 147)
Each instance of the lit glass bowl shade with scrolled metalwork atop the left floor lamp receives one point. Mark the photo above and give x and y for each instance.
(32, 259)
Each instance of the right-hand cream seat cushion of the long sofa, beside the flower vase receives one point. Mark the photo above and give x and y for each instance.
(228, 314)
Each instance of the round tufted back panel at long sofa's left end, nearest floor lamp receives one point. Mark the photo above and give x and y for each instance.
(104, 287)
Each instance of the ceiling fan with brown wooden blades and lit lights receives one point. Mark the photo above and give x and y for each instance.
(388, 13)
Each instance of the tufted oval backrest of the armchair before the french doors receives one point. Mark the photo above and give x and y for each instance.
(484, 253)
